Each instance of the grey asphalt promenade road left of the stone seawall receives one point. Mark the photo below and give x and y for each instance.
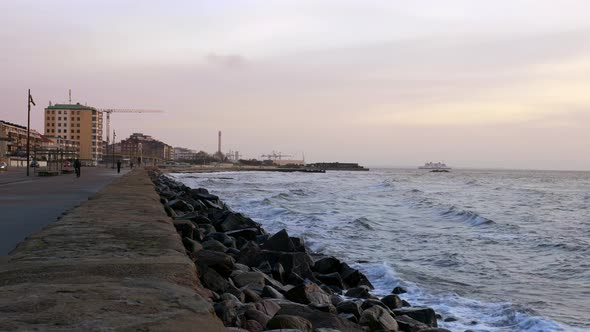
(29, 204)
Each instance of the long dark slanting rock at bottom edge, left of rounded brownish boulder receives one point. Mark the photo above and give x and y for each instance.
(318, 318)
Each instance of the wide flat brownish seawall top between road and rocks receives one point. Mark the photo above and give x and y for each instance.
(115, 263)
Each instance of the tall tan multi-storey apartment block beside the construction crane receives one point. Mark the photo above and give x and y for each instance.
(79, 123)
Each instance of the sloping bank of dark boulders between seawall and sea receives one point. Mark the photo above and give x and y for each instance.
(262, 282)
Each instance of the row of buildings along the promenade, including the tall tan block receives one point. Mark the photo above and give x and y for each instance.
(76, 131)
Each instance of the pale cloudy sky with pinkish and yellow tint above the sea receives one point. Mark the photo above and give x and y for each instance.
(484, 84)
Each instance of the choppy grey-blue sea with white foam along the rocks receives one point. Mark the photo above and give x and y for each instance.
(497, 250)
